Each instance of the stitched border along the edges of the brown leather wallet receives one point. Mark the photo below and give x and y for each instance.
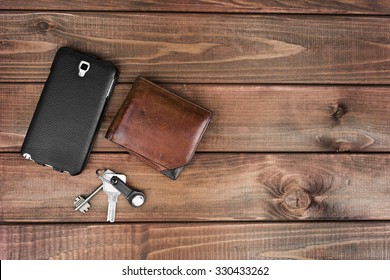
(197, 142)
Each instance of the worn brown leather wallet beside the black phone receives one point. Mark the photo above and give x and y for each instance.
(159, 127)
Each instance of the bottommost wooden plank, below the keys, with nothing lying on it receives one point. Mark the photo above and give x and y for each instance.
(356, 240)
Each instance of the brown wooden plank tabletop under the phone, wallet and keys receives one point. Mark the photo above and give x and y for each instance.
(295, 163)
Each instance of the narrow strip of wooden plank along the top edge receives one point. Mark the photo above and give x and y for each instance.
(377, 7)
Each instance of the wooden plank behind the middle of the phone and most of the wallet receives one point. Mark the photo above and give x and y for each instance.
(246, 118)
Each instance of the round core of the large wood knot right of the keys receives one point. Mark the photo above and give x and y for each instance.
(296, 200)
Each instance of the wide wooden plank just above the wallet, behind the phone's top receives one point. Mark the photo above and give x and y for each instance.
(203, 48)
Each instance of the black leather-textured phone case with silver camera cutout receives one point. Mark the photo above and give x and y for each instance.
(69, 111)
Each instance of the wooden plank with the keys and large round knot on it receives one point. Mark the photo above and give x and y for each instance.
(214, 187)
